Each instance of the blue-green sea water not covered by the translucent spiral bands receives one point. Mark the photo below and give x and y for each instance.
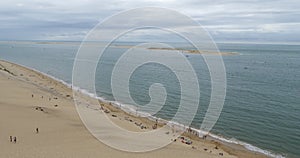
(262, 106)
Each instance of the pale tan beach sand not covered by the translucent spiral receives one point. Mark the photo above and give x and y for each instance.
(30, 100)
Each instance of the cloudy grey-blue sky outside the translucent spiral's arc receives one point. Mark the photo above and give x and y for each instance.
(254, 21)
